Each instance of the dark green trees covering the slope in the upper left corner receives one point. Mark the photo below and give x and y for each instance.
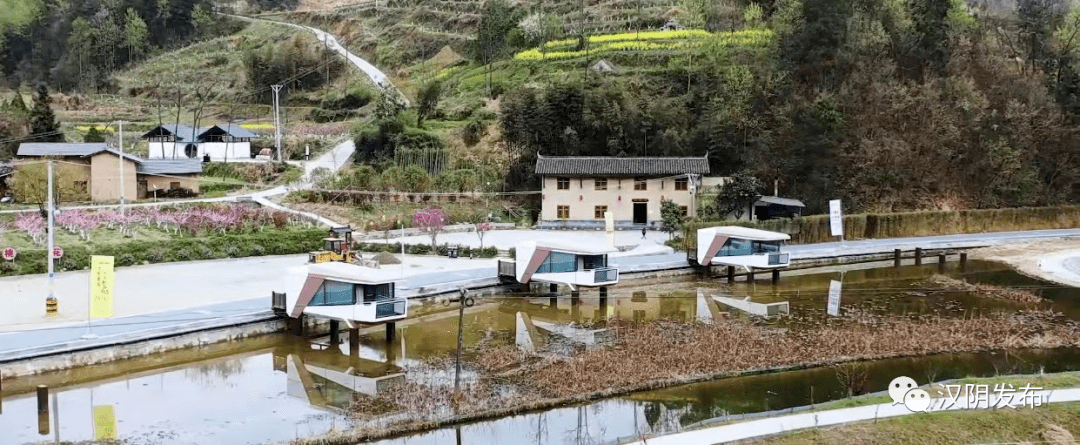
(76, 45)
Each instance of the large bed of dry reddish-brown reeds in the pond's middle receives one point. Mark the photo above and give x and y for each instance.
(667, 353)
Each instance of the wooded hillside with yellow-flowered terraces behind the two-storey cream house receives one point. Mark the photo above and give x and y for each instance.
(888, 105)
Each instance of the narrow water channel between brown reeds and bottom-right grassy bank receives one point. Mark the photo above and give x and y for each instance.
(676, 409)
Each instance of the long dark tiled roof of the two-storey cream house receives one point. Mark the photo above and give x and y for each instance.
(606, 166)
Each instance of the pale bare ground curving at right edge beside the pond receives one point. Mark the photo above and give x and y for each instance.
(1054, 261)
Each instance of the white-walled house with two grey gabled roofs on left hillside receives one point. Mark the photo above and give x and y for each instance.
(221, 143)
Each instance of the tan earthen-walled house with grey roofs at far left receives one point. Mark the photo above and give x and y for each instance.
(98, 170)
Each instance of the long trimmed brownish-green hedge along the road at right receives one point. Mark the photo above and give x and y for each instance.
(816, 230)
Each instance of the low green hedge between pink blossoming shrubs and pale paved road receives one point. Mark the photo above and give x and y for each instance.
(233, 246)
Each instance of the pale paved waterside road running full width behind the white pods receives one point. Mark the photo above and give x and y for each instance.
(171, 294)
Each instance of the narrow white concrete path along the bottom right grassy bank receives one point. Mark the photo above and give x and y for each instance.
(782, 425)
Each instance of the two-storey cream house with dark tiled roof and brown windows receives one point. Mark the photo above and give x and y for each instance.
(578, 191)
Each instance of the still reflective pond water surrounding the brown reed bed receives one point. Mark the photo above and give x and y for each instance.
(278, 388)
